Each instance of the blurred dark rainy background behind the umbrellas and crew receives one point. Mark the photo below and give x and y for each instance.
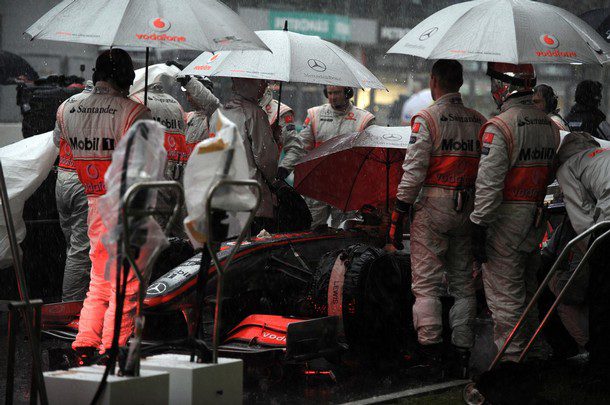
(365, 28)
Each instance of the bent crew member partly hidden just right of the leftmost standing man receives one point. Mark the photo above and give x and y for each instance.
(167, 111)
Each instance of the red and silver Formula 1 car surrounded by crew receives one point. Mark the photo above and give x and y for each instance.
(275, 301)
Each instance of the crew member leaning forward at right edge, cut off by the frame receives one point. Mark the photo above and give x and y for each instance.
(583, 177)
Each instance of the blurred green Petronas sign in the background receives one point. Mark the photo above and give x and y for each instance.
(327, 26)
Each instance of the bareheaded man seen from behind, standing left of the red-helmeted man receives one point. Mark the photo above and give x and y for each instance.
(440, 169)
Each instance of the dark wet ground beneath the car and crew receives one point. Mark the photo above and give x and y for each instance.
(559, 383)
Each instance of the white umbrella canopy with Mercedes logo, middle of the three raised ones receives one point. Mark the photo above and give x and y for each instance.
(295, 58)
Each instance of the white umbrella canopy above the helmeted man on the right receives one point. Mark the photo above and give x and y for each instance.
(511, 31)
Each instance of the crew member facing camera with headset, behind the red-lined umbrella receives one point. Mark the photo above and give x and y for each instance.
(339, 116)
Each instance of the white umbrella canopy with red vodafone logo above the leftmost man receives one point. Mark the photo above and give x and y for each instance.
(178, 24)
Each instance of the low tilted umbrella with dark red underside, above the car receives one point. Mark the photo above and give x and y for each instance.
(355, 169)
